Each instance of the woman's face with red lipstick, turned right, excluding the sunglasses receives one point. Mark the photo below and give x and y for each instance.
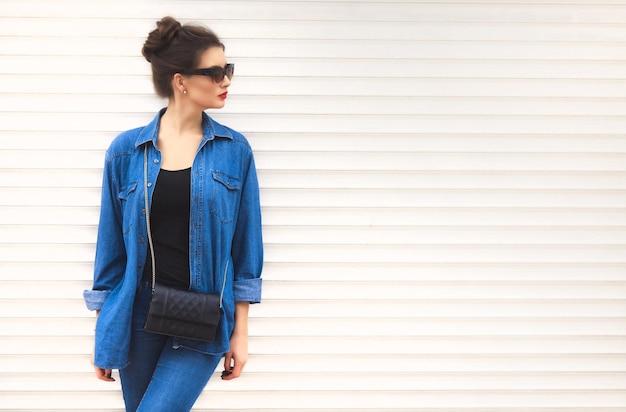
(202, 90)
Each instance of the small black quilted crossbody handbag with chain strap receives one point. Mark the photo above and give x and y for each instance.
(175, 312)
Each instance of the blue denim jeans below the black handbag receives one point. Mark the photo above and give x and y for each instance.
(160, 376)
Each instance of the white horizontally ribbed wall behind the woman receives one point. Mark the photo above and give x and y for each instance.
(442, 187)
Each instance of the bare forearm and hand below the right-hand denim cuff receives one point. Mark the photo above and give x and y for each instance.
(236, 359)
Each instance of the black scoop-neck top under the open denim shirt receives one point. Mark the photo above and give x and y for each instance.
(169, 221)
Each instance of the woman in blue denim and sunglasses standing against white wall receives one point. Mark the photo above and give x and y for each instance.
(206, 228)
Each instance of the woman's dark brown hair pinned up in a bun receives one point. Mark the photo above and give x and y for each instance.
(173, 48)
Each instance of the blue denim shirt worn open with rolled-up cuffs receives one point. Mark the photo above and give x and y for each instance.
(224, 239)
